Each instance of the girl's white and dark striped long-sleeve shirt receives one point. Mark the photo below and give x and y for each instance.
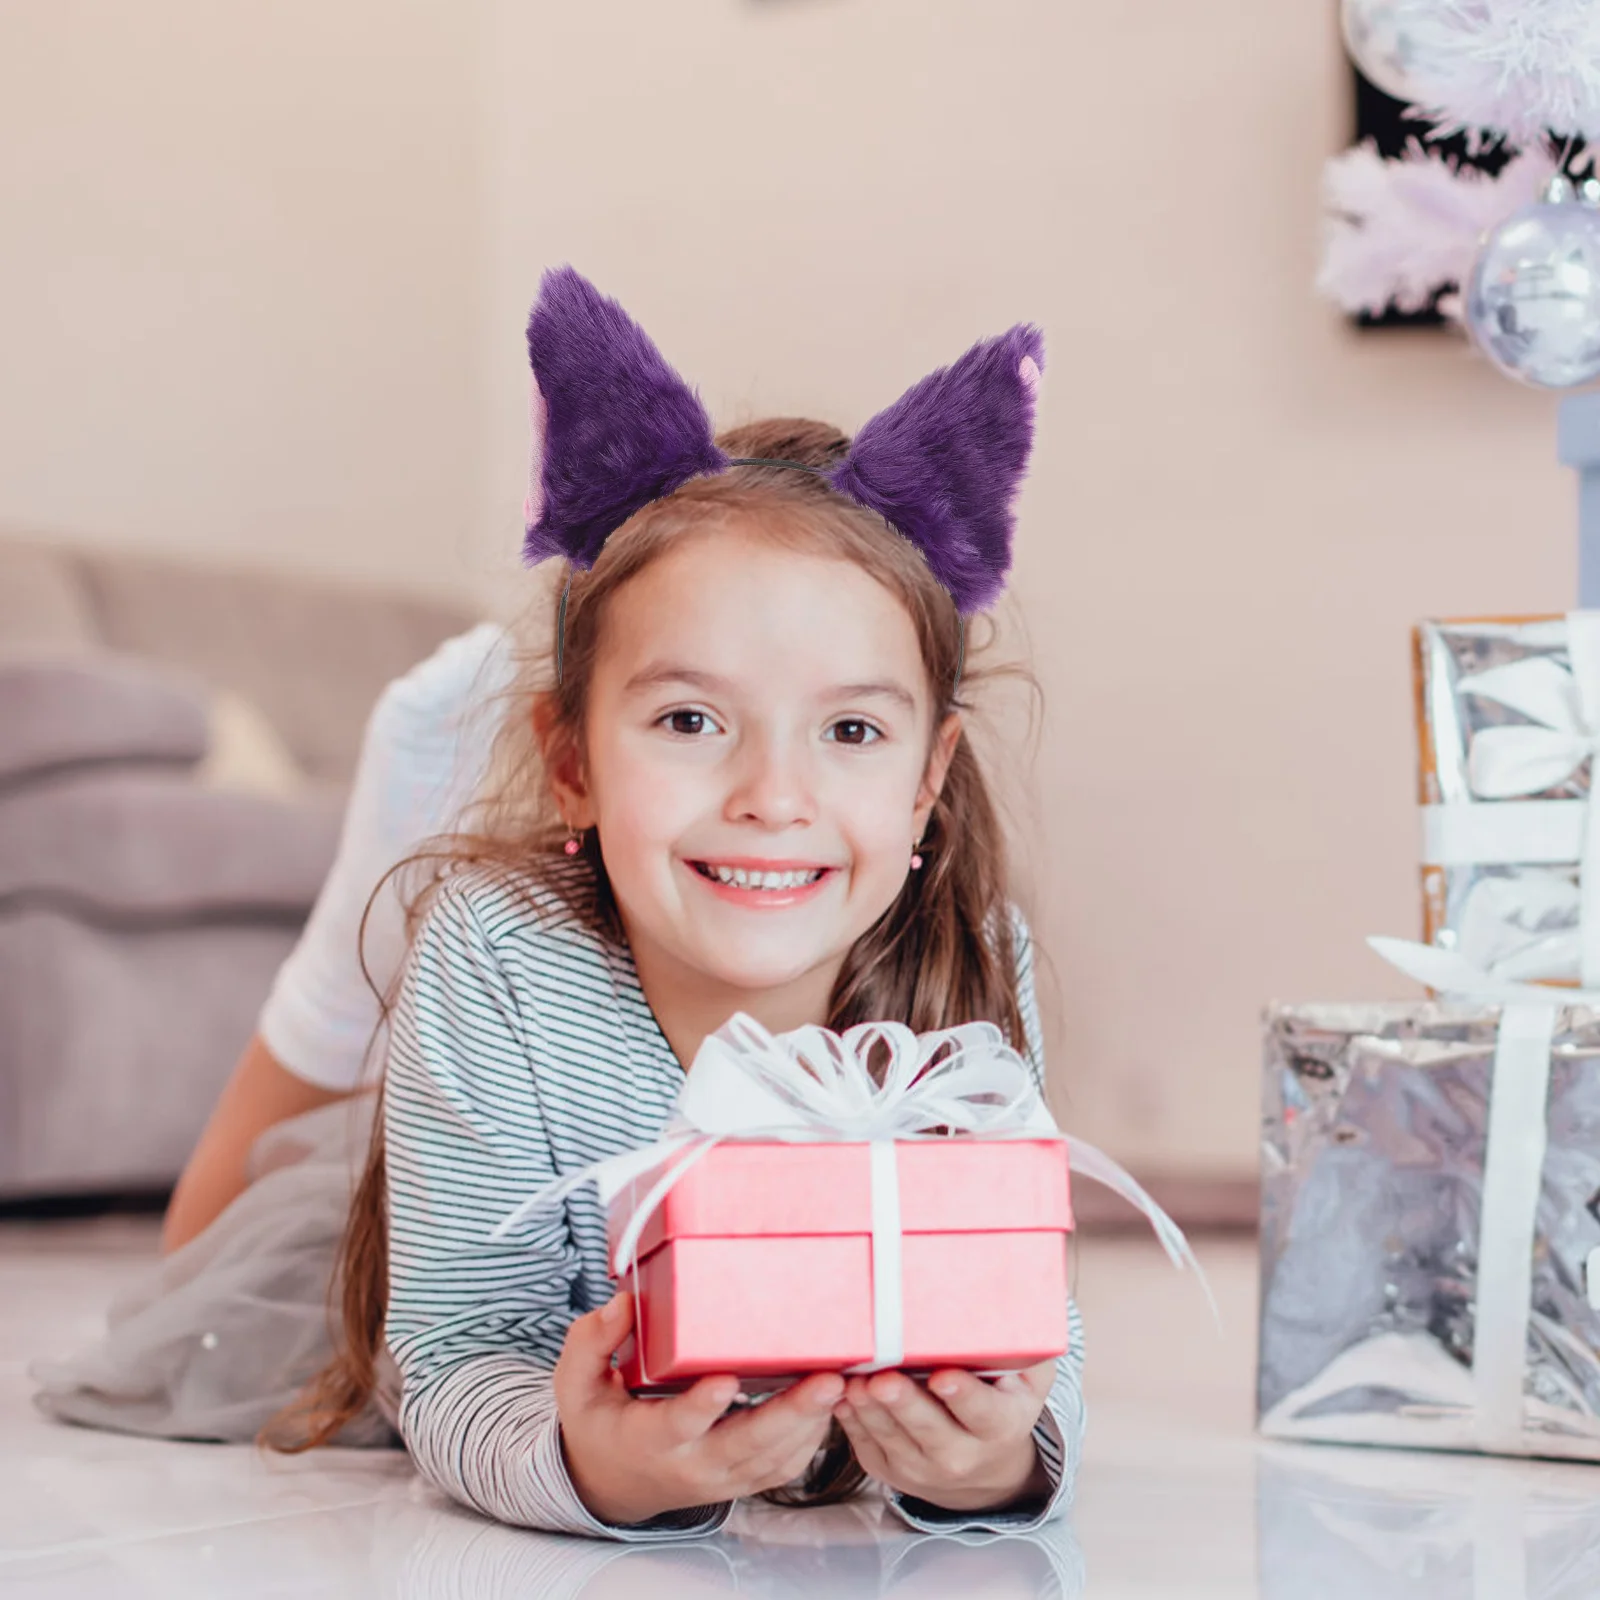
(524, 1049)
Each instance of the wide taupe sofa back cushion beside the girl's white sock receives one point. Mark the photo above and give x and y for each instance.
(313, 657)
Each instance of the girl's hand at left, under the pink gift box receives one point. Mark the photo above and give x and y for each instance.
(633, 1460)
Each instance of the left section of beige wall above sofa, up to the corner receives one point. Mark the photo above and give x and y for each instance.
(239, 279)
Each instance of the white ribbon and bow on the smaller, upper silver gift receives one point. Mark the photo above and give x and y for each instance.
(1535, 926)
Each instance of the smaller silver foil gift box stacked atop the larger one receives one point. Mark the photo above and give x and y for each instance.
(1511, 911)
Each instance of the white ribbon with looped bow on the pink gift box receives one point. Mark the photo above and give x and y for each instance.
(812, 1086)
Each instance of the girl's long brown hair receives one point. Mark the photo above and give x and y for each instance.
(940, 956)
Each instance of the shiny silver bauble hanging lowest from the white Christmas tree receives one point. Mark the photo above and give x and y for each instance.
(1534, 298)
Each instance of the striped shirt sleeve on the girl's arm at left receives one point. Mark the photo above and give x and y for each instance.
(476, 1326)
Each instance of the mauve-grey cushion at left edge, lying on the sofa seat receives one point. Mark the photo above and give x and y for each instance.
(62, 713)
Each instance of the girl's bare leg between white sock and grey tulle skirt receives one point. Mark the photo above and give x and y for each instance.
(260, 1094)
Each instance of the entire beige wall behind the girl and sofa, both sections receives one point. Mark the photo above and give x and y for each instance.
(1238, 508)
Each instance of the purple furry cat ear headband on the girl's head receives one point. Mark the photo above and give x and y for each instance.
(615, 428)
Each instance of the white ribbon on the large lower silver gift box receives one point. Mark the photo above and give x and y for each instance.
(1513, 1172)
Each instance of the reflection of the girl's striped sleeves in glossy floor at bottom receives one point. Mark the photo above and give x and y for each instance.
(842, 1551)
